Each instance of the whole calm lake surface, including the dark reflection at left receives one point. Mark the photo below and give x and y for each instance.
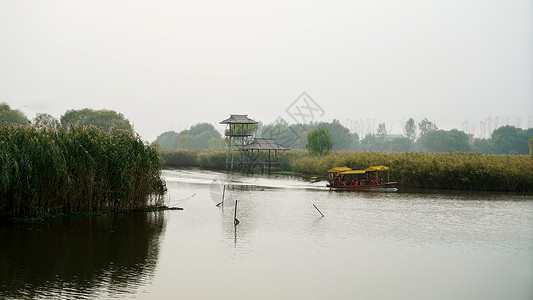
(368, 245)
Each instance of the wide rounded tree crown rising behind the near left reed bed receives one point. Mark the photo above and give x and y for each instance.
(106, 119)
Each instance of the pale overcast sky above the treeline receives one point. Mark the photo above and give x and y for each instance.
(167, 65)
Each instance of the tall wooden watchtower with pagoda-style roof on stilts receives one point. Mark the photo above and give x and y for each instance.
(239, 132)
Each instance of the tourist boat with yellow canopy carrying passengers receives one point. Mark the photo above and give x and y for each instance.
(344, 178)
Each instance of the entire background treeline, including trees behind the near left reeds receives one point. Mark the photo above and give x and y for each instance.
(423, 136)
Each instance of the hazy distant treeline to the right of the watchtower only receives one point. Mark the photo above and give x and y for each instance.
(422, 137)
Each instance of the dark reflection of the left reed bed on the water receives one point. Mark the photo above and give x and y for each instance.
(79, 257)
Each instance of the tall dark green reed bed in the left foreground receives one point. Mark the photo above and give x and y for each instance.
(83, 169)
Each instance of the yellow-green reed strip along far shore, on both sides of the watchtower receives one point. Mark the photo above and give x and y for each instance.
(458, 170)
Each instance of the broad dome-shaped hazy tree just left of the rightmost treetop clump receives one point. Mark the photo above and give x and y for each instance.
(446, 141)
